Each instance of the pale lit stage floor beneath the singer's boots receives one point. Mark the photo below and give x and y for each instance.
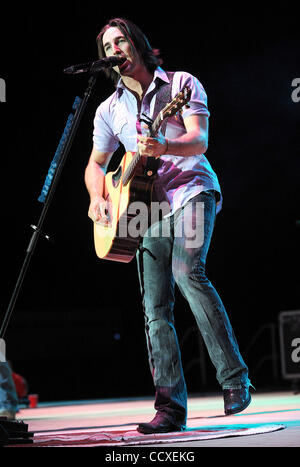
(205, 415)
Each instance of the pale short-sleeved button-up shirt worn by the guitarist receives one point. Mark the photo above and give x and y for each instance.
(117, 121)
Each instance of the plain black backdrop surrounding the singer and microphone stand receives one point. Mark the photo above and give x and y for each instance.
(77, 327)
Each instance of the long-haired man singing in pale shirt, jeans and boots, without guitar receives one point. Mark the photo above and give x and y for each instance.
(186, 180)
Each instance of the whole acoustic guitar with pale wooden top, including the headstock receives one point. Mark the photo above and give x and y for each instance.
(113, 238)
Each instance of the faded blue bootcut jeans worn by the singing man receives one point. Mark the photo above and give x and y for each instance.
(163, 261)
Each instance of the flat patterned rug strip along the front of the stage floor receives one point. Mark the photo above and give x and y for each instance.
(89, 438)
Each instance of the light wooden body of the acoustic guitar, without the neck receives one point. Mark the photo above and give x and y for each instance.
(112, 239)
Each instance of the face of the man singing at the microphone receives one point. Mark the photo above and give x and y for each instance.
(115, 43)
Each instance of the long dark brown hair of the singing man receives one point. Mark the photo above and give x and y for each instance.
(136, 39)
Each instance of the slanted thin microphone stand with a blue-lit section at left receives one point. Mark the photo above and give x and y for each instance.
(49, 189)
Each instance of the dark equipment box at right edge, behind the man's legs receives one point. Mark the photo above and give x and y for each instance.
(289, 335)
